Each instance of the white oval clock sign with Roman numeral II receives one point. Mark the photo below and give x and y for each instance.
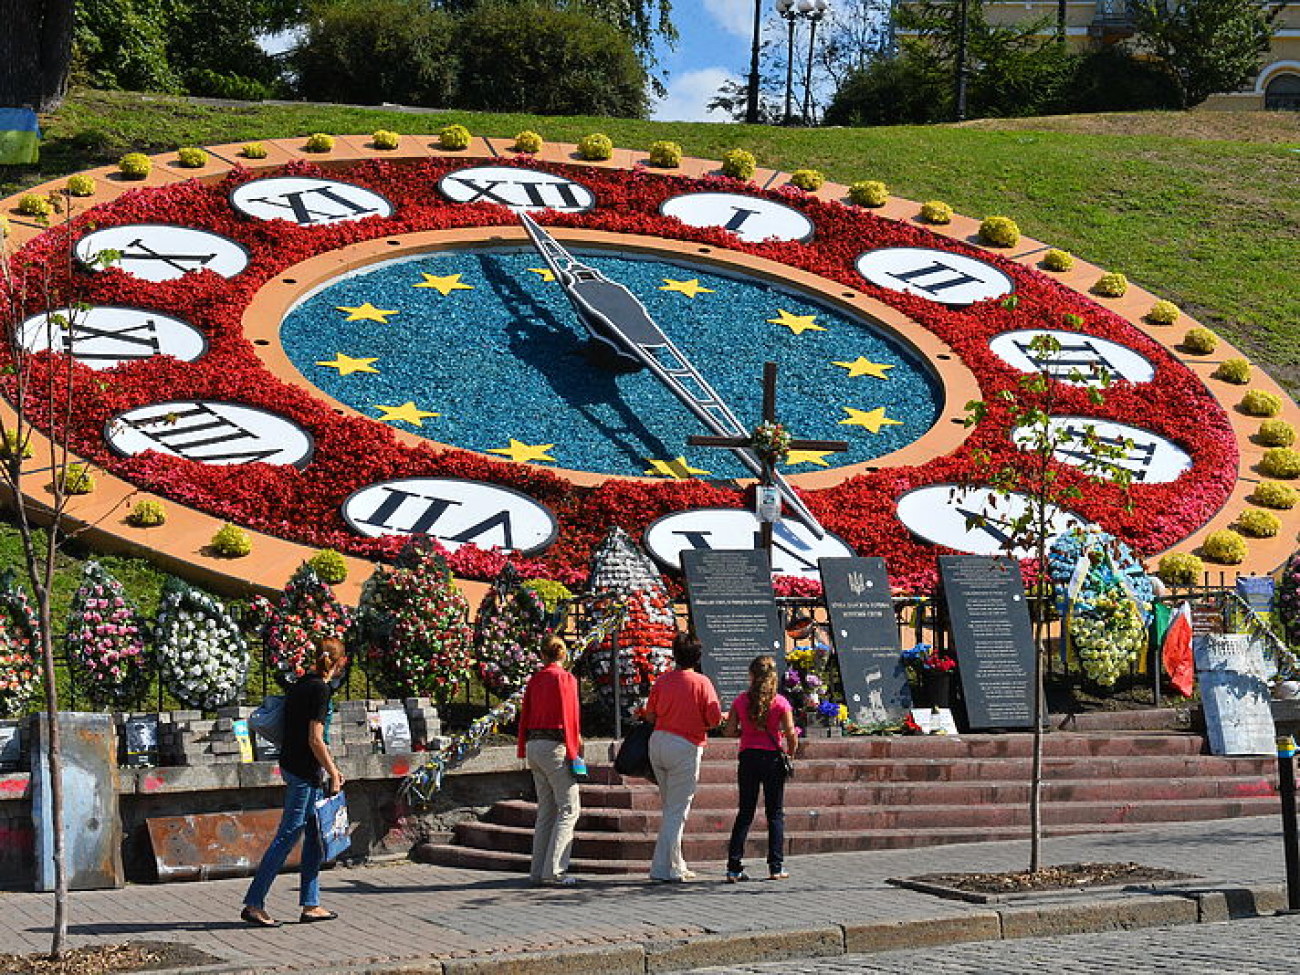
(941, 276)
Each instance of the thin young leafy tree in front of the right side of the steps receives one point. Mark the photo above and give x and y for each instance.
(1030, 486)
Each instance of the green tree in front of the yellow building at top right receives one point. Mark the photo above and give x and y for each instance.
(1206, 46)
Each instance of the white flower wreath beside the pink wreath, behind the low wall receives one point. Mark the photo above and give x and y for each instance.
(203, 658)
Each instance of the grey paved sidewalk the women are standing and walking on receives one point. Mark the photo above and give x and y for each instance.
(411, 918)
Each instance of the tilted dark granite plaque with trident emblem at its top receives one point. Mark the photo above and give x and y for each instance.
(866, 639)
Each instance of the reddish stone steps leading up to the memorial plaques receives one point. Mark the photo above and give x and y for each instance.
(889, 794)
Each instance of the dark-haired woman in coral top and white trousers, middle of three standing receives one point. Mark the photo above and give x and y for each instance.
(683, 707)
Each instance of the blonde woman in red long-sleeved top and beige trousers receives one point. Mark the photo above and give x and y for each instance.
(551, 738)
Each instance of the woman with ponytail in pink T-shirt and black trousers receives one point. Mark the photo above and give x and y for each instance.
(762, 718)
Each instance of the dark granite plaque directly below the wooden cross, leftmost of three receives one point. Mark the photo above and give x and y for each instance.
(734, 614)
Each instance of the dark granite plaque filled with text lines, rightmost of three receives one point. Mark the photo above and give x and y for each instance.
(994, 639)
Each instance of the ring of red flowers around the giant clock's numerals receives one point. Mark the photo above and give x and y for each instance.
(353, 453)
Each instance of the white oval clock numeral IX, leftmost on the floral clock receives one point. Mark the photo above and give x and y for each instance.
(103, 337)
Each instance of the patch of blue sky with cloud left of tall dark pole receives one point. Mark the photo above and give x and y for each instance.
(714, 46)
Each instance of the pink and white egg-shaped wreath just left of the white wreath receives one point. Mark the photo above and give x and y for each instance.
(106, 642)
